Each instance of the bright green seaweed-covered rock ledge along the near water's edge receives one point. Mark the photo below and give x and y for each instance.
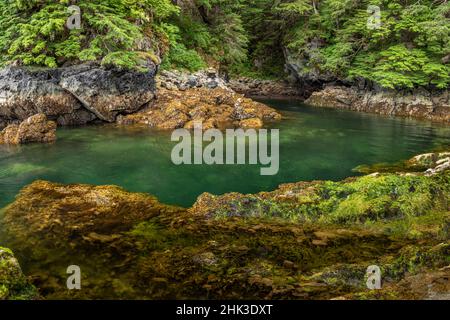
(352, 201)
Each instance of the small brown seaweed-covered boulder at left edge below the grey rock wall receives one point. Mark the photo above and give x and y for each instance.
(34, 129)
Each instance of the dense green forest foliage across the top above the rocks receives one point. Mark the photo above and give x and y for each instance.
(409, 48)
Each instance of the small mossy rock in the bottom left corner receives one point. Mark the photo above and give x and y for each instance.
(13, 284)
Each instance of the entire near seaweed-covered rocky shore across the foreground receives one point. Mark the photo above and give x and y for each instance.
(306, 240)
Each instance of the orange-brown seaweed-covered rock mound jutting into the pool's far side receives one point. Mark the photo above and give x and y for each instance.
(213, 107)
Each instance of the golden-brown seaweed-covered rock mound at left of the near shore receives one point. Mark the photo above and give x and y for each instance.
(64, 213)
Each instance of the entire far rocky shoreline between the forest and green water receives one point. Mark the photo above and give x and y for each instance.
(89, 93)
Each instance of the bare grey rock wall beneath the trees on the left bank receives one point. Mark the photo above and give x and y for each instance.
(73, 95)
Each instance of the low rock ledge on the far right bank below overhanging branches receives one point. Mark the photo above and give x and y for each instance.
(435, 108)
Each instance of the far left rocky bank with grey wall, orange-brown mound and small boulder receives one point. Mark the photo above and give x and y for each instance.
(88, 93)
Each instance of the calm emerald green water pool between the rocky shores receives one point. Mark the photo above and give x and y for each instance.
(314, 144)
